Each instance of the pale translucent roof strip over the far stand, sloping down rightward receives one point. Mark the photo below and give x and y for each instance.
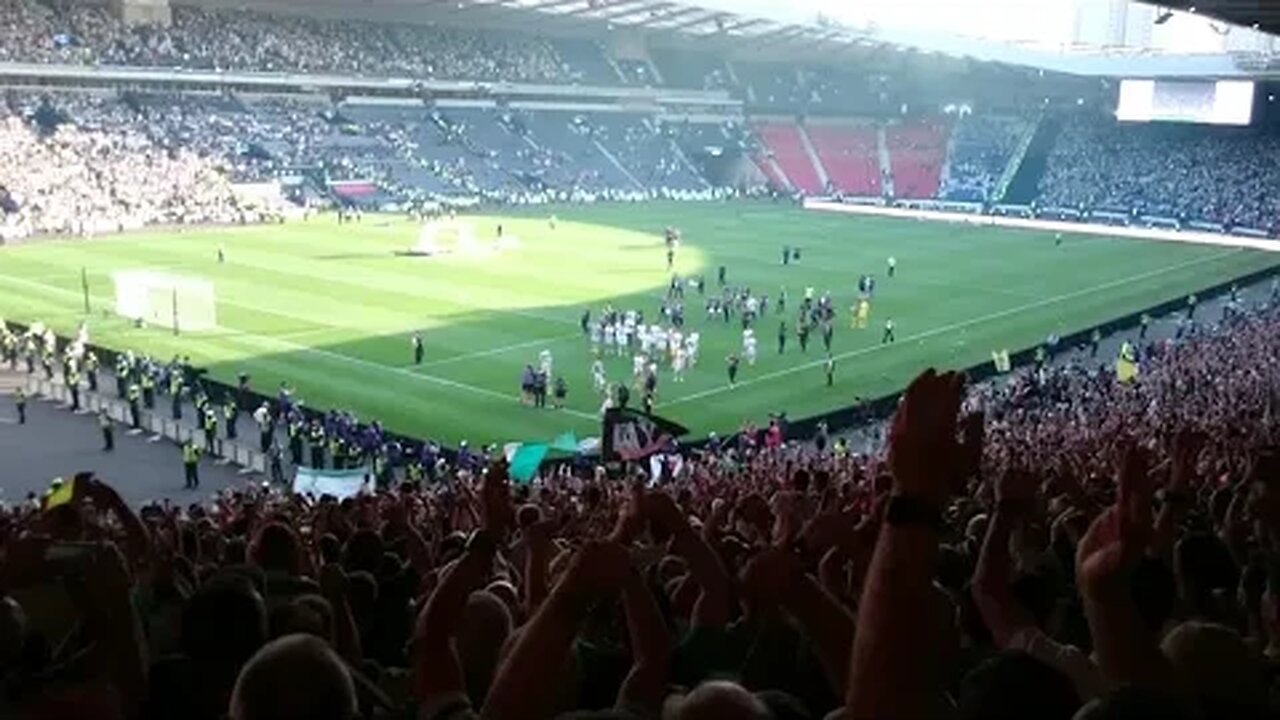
(790, 33)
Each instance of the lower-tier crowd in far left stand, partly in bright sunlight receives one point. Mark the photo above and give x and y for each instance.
(112, 162)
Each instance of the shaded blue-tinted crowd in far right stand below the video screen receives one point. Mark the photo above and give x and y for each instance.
(1186, 174)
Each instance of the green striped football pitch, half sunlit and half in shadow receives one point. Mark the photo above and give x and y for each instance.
(331, 308)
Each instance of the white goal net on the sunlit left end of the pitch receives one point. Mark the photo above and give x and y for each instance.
(164, 300)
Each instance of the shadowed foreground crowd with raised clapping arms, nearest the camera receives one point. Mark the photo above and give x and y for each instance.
(1053, 545)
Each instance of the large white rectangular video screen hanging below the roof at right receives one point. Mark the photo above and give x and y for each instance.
(1220, 103)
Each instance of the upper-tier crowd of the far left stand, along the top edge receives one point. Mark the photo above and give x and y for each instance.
(246, 40)
